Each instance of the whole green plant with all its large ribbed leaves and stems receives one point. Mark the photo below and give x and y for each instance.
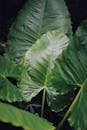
(43, 55)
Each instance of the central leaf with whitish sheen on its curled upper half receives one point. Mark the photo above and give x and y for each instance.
(39, 65)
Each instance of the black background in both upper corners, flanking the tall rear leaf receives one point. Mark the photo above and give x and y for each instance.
(9, 9)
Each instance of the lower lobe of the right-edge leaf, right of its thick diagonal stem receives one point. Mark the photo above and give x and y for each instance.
(78, 115)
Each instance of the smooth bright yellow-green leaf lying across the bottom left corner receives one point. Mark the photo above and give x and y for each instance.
(20, 118)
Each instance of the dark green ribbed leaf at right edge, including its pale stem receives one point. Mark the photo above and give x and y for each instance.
(73, 71)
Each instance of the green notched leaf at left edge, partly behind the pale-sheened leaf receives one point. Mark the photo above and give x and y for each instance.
(8, 91)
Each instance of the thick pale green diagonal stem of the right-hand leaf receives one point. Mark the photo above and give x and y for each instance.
(69, 110)
